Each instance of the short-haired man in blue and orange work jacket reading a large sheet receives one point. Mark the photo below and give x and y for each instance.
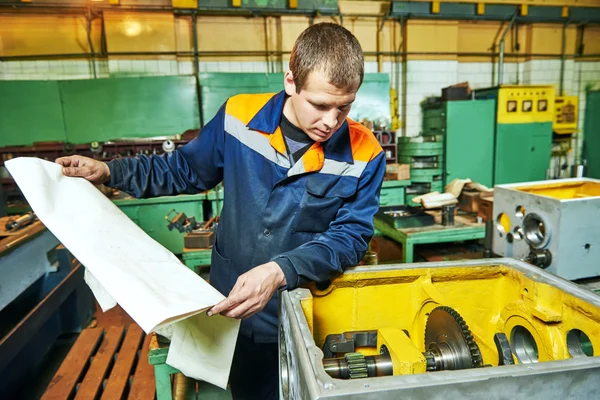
(301, 187)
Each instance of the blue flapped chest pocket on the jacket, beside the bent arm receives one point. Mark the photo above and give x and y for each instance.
(324, 196)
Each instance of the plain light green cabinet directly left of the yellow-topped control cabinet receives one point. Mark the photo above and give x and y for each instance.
(469, 140)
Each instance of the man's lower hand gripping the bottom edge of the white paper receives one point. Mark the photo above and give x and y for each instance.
(251, 292)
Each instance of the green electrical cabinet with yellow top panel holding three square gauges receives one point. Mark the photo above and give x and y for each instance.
(523, 131)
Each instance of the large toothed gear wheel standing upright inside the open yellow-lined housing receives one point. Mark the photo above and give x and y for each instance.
(450, 342)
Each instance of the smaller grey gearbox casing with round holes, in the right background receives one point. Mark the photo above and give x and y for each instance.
(559, 216)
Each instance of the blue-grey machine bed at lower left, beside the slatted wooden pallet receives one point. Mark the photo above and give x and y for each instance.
(42, 295)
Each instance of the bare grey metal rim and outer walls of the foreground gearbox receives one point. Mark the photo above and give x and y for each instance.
(303, 377)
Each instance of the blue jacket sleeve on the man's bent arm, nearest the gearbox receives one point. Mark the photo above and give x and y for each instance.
(345, 242)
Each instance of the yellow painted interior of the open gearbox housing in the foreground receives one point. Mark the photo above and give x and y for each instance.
(491, 299)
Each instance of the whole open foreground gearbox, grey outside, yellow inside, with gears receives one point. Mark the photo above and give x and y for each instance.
(497, 328)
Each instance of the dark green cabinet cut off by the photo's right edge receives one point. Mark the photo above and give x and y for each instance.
(591, 133)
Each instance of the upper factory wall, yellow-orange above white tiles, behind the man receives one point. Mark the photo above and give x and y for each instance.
(225, 43)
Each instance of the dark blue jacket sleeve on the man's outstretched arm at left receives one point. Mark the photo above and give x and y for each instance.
(193, 168)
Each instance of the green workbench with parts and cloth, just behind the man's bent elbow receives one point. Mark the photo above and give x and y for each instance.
(465, 228)
